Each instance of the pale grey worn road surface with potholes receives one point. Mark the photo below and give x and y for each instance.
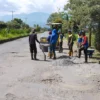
(61, 79)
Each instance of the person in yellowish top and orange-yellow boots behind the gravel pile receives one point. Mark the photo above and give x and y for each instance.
(70, 43)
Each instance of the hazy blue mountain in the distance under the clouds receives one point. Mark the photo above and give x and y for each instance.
(31, 19)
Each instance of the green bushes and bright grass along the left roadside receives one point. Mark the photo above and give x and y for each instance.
(13, 29)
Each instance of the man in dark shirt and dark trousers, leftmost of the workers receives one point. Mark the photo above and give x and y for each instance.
(32, 43)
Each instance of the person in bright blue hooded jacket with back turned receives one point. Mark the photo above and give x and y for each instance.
(53, 41)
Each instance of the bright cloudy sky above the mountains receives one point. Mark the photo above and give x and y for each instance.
(29, 6)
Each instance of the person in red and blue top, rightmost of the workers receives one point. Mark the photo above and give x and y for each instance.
(84, 46)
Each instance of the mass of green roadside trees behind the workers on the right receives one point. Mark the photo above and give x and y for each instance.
(80, 15)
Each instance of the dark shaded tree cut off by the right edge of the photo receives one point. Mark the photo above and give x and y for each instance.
(95, 16)
